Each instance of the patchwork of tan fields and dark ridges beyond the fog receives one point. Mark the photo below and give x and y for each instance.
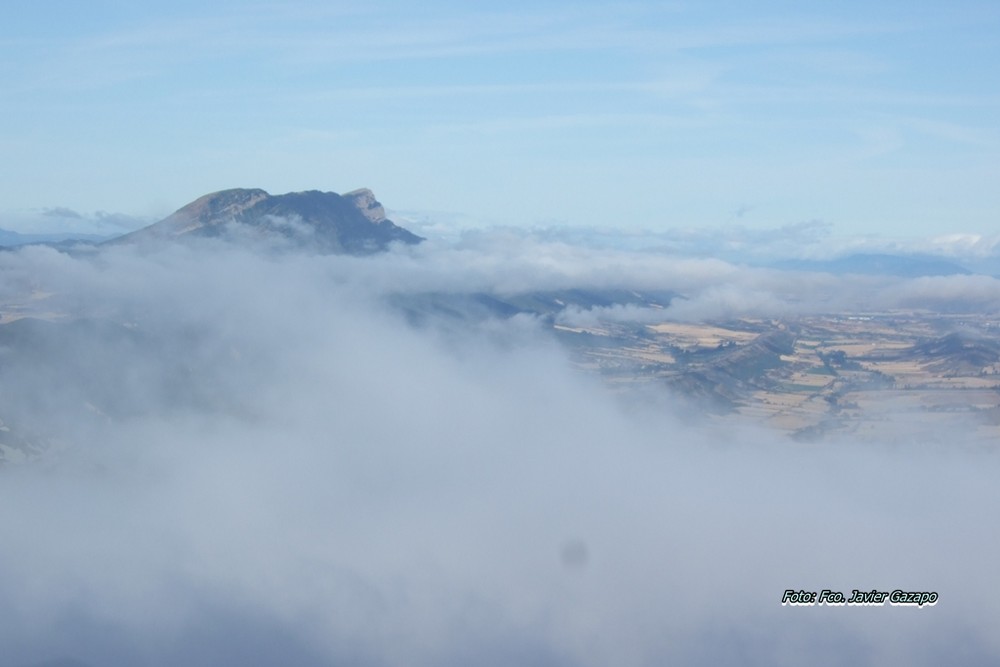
(882, 376)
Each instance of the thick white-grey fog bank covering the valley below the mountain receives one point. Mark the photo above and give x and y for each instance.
(254, 459)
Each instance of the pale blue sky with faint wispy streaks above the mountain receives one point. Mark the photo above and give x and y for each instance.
(870, 117)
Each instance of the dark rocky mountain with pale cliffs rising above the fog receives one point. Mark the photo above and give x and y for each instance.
(353, 223)
